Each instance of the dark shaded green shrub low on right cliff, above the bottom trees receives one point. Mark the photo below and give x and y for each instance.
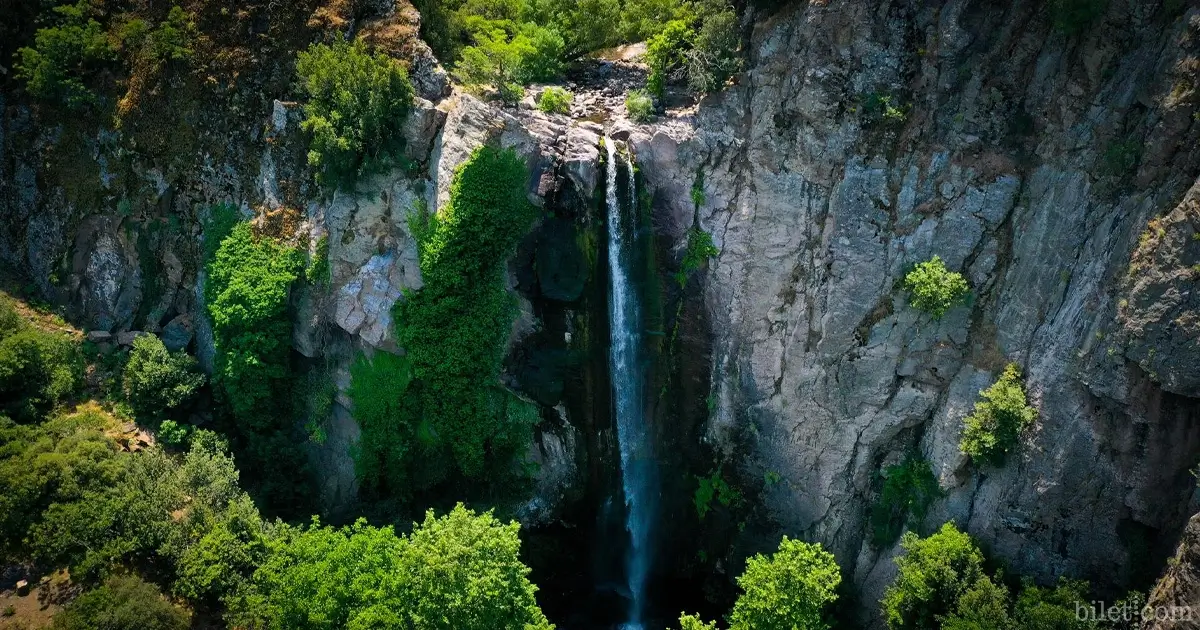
(909, 488)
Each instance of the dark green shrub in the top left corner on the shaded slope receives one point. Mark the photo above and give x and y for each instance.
(63, 57)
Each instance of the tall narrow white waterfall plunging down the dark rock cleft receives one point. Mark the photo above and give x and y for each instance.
(628, 389)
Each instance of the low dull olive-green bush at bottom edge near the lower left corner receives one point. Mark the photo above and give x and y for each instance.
(122, 604)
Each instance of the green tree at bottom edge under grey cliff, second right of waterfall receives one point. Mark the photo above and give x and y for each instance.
(934, 574)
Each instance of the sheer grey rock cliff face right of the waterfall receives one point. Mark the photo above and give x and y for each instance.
(866, 137)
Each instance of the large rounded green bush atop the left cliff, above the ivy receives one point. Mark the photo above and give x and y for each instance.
(356, 110)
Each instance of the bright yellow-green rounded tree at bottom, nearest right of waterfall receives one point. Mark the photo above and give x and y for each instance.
(789, 591)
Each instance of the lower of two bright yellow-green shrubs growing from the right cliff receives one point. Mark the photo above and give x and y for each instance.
(998, 422)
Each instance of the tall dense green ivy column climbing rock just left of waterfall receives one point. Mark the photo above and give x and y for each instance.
(441, 413)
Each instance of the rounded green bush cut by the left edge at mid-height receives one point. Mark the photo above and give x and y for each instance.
(39, 369)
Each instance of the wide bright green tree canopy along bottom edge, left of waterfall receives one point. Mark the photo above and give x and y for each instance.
(461, 572)
